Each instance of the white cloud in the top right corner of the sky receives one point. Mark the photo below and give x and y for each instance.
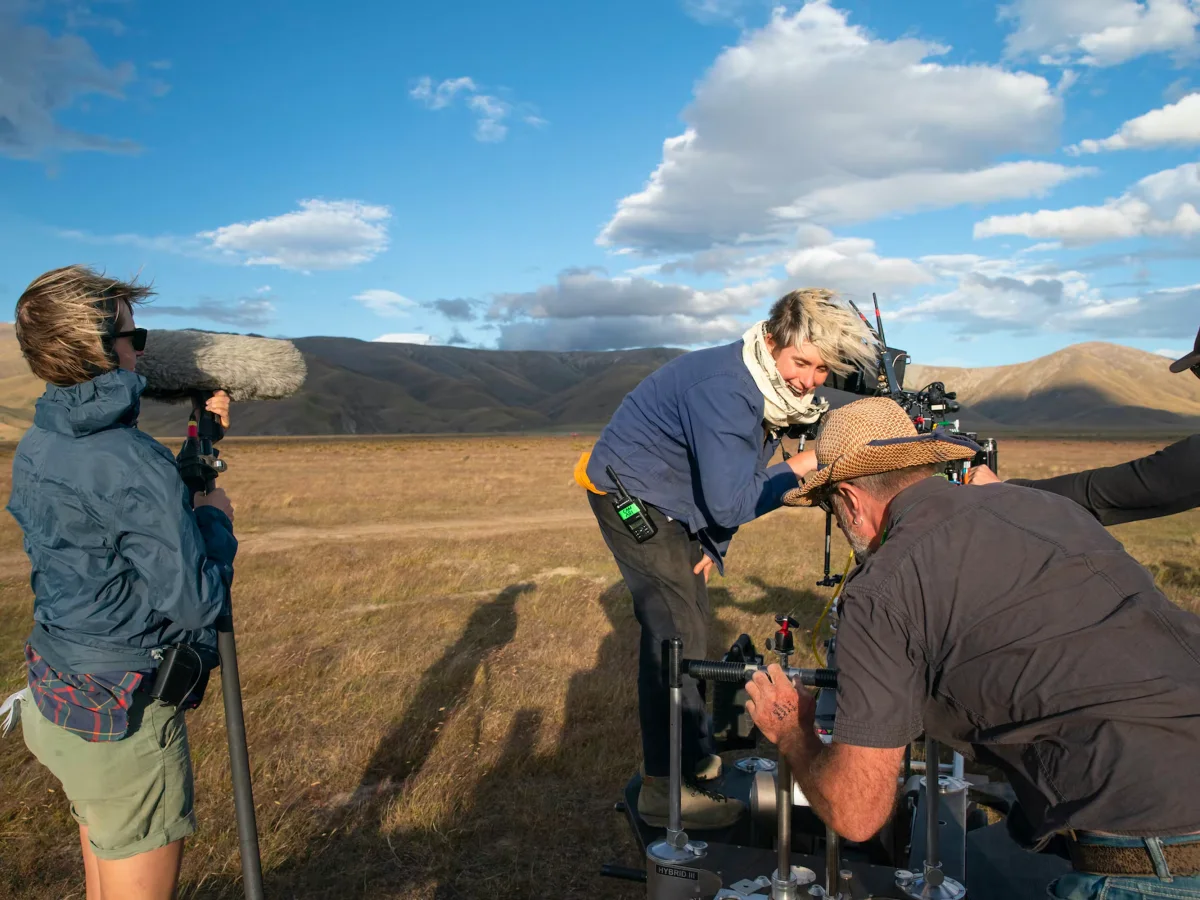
(1101, 33)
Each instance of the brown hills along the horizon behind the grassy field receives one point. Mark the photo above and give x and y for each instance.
(368, 388)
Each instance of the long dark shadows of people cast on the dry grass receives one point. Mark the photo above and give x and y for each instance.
(539, 823)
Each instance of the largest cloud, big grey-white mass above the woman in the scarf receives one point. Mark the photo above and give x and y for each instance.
(812, 118)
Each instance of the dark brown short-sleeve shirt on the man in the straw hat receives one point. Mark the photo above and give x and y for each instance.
(1012, 626)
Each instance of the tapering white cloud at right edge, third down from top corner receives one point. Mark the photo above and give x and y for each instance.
(1161, 205)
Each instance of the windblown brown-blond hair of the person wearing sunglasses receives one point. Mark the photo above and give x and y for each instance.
(63, 321)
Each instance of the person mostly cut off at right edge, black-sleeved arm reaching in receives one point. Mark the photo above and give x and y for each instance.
(1162, 484)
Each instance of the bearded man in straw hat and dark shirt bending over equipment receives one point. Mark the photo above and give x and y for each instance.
(1007, 623)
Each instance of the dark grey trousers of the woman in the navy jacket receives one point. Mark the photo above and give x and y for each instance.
(670, 601)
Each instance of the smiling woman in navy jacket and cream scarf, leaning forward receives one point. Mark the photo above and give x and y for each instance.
(694, 442)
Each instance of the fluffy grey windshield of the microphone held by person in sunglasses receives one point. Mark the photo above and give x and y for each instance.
(179, 365)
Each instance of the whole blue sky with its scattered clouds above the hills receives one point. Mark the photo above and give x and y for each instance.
(602, 176)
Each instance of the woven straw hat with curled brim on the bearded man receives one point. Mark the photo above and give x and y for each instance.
(872, 436)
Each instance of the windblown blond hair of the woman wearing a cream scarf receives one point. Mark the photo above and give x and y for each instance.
(819, 317)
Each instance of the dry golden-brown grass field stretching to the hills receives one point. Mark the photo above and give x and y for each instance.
(439, 659)
